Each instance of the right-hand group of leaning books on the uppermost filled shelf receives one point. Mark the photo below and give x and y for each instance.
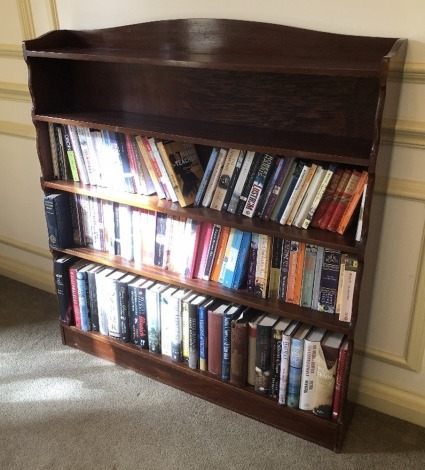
(286, 190)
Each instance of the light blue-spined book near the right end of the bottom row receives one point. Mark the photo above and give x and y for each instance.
(296, 356)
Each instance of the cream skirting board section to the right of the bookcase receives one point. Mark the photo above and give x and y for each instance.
(388, 399)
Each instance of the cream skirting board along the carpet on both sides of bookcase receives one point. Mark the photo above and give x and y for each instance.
(372, 394)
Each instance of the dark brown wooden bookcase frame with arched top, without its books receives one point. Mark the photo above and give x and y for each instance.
(226, 83)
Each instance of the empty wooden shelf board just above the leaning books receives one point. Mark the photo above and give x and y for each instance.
(320, 147)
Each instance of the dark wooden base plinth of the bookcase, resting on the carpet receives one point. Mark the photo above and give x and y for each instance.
(245, 401)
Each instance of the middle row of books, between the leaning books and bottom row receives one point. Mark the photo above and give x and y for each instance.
(305, 274)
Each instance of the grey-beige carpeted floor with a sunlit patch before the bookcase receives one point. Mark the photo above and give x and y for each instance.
(64, 409)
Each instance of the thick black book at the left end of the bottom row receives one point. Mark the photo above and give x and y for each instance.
(63, 287)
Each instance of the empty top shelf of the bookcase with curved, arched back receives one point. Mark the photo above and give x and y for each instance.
(223, 45)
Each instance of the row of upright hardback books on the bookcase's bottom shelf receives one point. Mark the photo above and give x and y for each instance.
(293, 362)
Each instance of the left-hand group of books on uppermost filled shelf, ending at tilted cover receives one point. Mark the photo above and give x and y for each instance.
(124, 162)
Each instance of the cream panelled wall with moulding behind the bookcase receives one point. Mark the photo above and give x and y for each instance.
(389, 363)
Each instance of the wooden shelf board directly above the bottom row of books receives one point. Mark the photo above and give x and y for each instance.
(215, 289)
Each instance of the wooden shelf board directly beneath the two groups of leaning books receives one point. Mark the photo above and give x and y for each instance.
(345, 242)
